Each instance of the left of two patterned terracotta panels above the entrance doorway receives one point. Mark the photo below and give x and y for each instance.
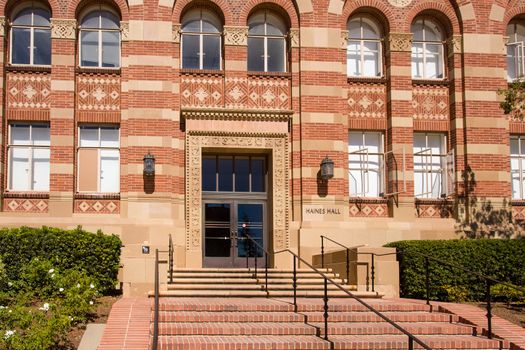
(205, 91)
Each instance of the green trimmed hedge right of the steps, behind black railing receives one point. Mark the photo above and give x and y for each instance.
(503, 260)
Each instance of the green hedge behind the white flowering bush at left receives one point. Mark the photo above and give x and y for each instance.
(97, 255)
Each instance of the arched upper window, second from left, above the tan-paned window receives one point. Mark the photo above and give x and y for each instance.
(100, 39)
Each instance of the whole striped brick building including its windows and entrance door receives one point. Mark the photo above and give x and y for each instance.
(239, 102)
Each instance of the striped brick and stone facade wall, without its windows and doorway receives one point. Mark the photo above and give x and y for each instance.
(293, 118)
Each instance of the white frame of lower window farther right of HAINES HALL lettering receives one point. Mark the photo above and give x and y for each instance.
(445, 174)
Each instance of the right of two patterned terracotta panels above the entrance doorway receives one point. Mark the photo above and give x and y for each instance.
(266, 92)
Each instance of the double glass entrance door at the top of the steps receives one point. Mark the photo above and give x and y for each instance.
(226, 225)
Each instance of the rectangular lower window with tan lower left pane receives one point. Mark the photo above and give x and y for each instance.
(99, 159)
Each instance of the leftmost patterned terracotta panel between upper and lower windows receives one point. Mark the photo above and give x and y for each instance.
(28, 91)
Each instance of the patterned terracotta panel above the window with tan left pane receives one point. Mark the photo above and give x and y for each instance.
(98, 92)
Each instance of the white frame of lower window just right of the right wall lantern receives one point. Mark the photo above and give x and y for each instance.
(364, 168)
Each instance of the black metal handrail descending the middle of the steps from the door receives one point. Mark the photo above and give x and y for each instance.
(411, 338)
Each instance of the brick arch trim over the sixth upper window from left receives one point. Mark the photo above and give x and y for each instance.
(445, 14)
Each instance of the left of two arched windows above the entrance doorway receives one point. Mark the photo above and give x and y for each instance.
(201, 40)
